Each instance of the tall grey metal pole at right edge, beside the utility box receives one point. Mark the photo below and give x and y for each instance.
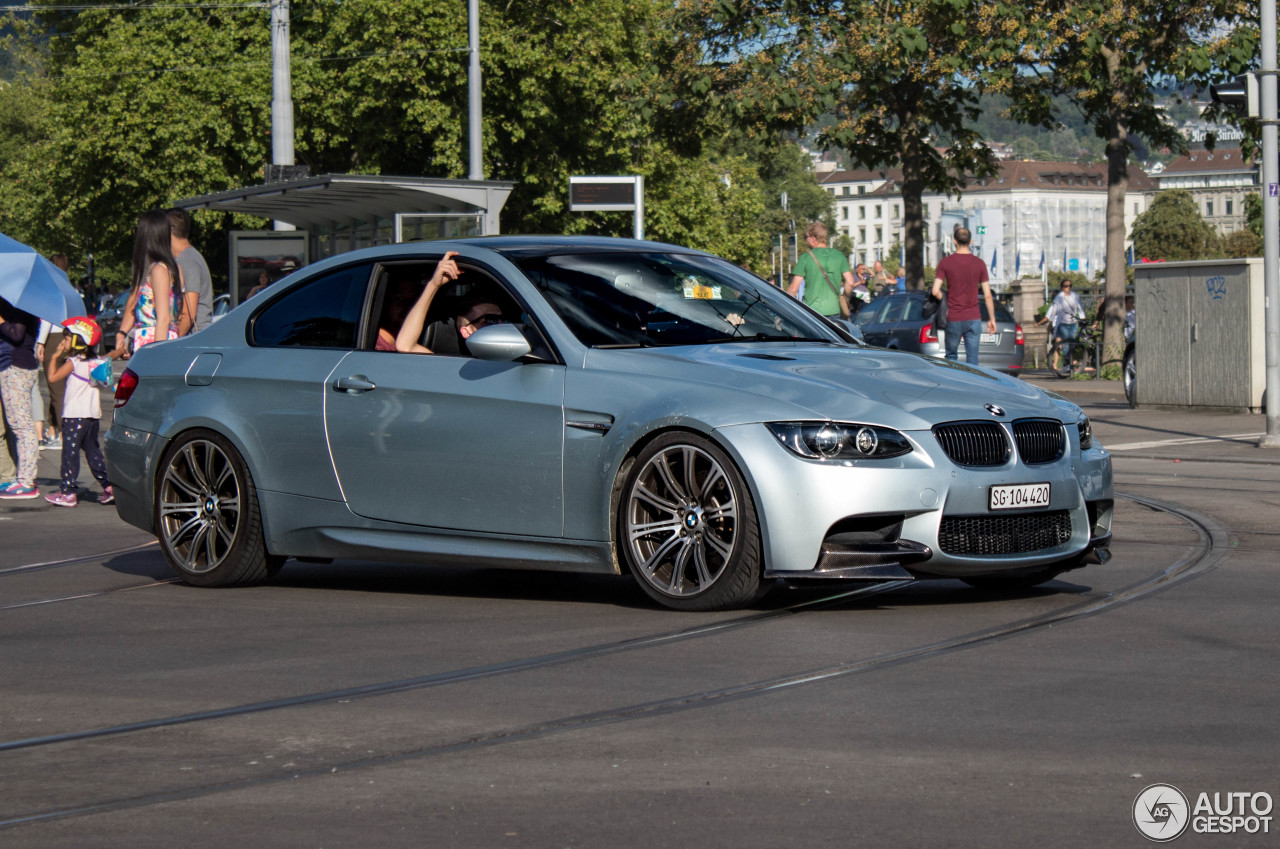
(1270, 221)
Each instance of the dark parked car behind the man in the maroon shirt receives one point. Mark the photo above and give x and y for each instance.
(898, 322)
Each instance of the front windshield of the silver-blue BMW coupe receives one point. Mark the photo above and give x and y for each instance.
(642, 300)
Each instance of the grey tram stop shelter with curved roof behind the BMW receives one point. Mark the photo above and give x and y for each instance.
(339, 213)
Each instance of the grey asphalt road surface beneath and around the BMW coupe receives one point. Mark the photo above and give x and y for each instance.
(365, 705)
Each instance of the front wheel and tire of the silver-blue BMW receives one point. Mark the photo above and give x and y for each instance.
(688, 528)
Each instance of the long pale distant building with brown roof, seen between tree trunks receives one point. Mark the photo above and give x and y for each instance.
(1052, 212)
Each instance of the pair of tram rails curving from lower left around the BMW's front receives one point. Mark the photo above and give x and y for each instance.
(1206, 555)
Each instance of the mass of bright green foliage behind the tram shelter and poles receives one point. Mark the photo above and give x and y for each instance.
(143, 108)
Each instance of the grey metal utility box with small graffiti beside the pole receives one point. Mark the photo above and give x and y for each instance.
(1200, 339)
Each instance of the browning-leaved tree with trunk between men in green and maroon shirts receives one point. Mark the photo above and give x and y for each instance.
(893, 77)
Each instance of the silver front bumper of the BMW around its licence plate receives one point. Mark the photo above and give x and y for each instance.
(918, 515)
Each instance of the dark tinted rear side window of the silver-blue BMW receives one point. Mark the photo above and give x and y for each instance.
(323, 313)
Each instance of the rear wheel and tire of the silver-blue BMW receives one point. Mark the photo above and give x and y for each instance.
(207, 514)
